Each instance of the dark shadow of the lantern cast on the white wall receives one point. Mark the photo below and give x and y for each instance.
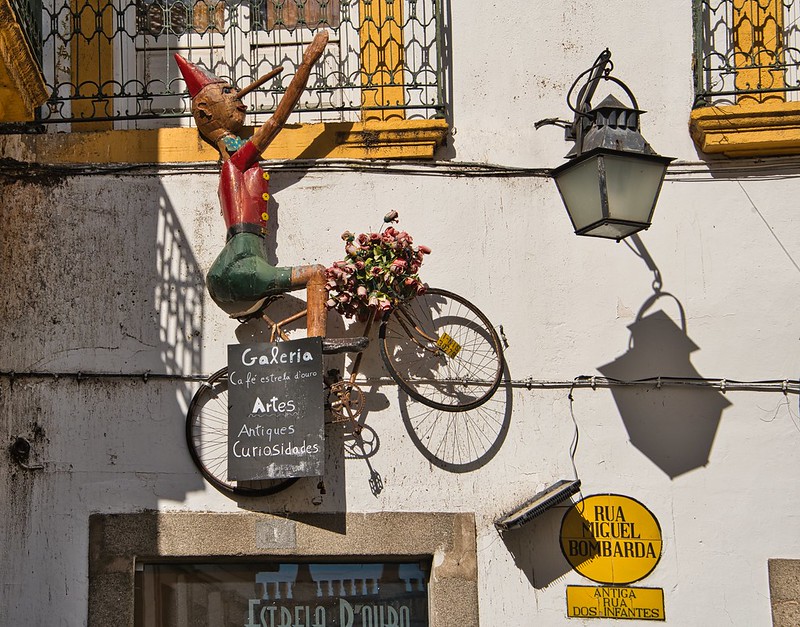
(673, 426)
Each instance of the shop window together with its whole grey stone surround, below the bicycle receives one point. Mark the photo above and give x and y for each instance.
(184, 568)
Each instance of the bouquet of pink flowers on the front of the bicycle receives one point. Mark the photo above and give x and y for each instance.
(378, 272)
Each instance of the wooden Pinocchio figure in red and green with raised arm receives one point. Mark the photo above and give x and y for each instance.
(241, 278)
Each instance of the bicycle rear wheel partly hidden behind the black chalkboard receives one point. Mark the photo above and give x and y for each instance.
(207, 439)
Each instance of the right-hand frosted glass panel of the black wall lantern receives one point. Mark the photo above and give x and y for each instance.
(633, 184)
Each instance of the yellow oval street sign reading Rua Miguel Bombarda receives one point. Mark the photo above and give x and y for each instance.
(610, 538)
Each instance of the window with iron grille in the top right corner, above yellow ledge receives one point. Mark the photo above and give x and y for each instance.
(746, 51)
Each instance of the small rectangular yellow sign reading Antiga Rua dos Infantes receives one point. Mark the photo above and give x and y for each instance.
(615, 602)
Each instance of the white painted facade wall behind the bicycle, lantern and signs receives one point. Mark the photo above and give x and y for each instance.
(104, 273)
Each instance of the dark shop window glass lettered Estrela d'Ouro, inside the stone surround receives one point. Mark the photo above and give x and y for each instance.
(282, 592)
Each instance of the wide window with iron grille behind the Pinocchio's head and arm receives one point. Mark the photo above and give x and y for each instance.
(109, 63)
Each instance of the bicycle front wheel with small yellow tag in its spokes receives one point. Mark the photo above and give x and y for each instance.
(442, 351)
